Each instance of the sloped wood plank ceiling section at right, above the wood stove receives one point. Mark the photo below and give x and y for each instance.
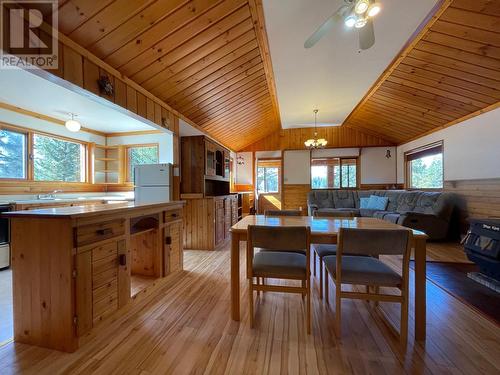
(447, 73)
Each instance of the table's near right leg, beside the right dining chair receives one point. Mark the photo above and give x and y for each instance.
(420, 292)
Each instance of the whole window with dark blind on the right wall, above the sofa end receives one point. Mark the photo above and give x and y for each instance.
(425, 167)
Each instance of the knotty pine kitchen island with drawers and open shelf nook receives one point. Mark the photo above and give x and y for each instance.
(74, 267)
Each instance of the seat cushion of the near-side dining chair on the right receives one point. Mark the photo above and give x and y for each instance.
(363, 271)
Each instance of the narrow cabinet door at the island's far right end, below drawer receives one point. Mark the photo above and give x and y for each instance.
(172, 248)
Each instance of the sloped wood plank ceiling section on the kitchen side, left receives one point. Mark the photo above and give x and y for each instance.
(208, 59)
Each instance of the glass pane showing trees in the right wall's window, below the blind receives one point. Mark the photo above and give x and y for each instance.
(427, 172)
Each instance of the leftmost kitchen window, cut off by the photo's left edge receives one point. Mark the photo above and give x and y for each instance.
(13, 154)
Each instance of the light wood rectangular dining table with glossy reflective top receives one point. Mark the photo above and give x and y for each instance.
(325, 230)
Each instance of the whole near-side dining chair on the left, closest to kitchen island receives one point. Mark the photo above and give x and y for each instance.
(279, 261)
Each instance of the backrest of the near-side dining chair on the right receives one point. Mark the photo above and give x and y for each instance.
(374, 241)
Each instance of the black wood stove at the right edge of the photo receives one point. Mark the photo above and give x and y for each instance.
(482, 245)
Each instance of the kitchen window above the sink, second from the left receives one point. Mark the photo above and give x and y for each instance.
(56, 159)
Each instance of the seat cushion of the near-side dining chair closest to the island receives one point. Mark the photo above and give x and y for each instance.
(279, 264)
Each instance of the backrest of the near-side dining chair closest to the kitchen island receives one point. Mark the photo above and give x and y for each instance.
(279, 238)
